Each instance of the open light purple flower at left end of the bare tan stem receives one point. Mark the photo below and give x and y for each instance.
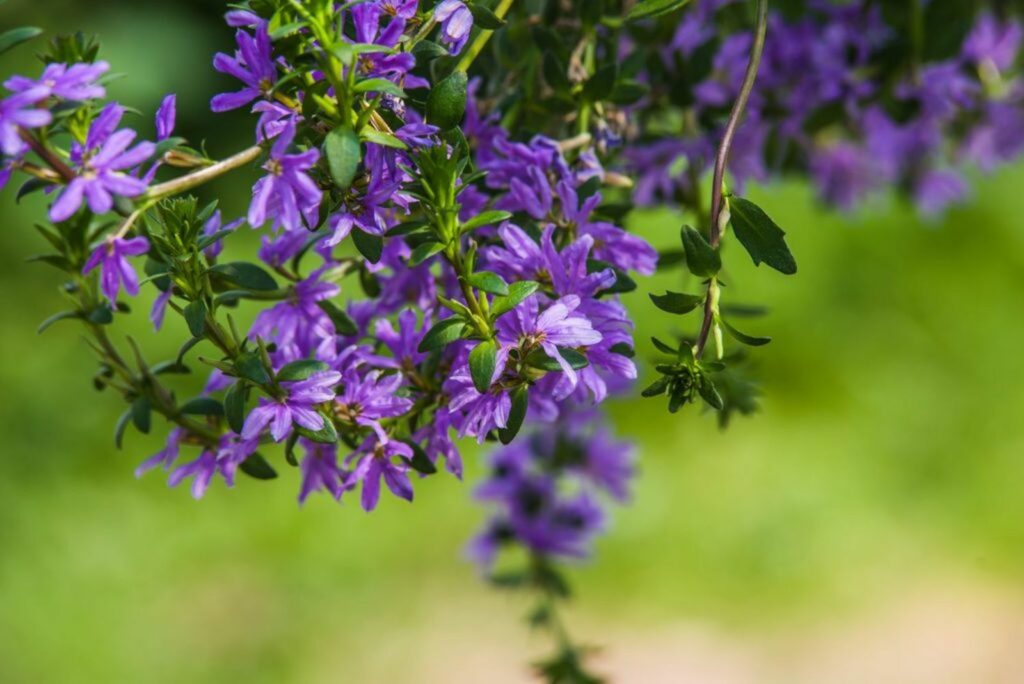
(101, 165)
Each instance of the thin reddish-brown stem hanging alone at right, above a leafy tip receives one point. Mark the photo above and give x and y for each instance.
(722, 161)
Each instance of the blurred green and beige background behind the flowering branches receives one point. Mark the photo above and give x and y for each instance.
(867, 527)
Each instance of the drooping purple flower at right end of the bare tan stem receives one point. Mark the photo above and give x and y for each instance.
(287, 195)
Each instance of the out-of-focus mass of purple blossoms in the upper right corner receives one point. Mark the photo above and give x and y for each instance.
(819, 108)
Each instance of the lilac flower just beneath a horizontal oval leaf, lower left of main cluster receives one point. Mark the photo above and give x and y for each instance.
(296, 407)
